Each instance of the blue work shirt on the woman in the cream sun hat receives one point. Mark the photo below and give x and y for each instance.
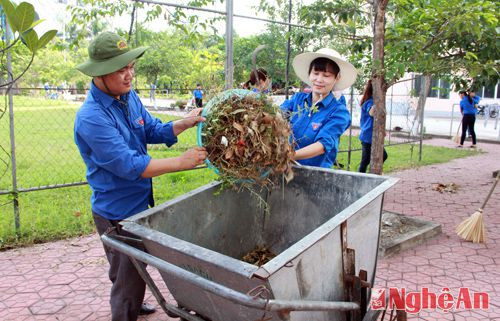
(324, 125)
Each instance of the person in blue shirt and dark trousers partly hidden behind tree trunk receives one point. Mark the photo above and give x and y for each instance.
(366, 124)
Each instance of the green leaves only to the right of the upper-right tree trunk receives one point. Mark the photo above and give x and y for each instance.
(440, 38)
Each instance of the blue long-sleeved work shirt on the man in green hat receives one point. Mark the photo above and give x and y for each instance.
(112, 139)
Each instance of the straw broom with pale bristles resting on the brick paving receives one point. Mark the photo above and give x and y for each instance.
(472, 229)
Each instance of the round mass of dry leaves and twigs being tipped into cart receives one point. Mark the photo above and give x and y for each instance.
(246, 137)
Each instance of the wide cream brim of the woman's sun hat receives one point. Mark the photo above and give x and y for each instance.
(348, 73)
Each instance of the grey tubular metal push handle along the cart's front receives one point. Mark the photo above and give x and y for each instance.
(223, 291)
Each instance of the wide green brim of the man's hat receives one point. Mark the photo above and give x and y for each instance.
(96, 68)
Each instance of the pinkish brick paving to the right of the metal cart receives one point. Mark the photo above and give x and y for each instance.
(447, 261)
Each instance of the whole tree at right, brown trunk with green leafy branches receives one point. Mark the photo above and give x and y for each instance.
(433, 37)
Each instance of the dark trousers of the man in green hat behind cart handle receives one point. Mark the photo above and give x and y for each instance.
(127, 291)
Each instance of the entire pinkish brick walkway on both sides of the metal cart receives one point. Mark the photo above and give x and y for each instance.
(67, 280)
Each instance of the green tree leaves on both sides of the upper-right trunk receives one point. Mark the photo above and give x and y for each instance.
(439, 38)
